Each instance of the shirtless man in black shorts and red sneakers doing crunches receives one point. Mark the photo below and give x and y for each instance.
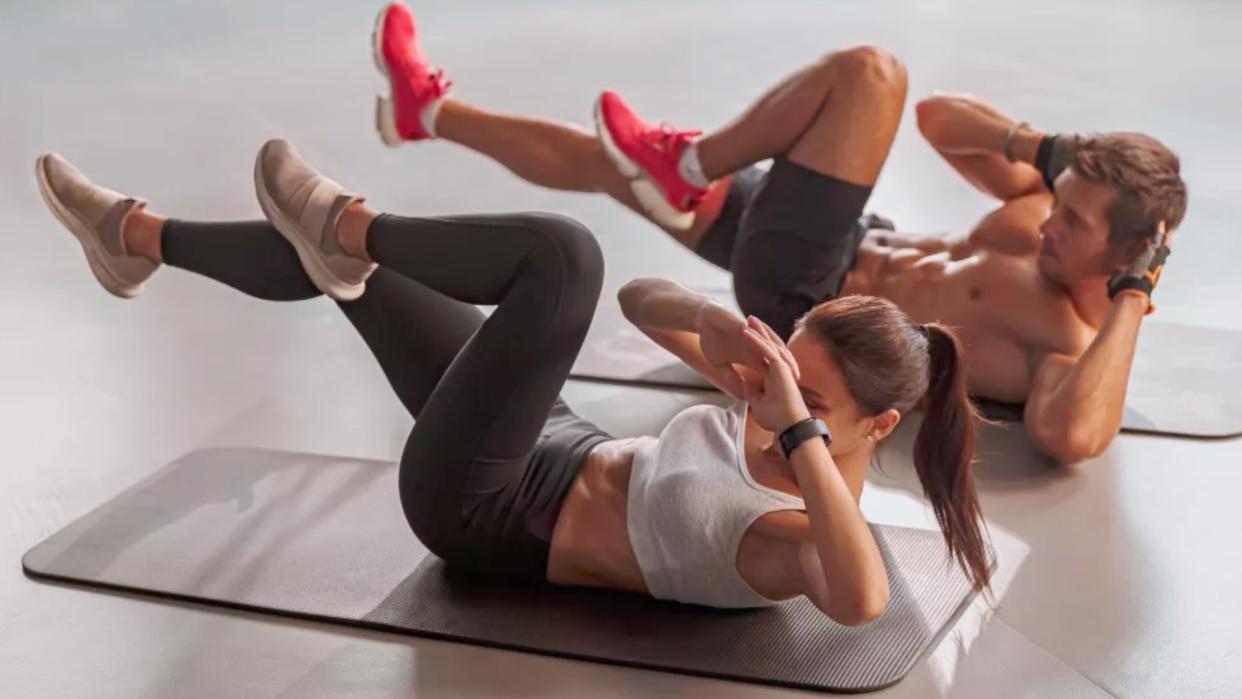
(1048, 292)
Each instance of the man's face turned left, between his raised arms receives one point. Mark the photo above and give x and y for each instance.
(1075, 239)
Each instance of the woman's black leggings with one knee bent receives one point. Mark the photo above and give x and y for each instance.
(494, 450)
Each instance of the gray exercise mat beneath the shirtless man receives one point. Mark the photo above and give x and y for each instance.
(1187, 379)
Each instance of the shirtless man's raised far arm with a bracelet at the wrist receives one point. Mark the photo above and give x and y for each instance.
(971, 136)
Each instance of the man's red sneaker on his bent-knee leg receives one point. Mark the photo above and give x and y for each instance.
(649, 156)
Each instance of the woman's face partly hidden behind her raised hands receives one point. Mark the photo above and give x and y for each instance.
(828, 398)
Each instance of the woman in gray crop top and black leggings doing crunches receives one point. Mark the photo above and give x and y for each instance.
(499, 475)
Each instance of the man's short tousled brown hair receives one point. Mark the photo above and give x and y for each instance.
(1148, 179)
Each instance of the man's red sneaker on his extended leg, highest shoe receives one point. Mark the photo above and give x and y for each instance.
(413, 85)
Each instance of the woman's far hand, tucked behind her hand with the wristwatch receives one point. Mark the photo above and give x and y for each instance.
(732, 357)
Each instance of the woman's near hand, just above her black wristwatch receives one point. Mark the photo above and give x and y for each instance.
(777, 402)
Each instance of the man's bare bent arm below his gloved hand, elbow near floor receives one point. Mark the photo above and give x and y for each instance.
(1075, 408)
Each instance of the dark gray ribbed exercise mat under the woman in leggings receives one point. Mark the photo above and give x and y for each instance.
(324, 538)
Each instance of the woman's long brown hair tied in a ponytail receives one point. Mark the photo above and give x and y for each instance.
(891, 363)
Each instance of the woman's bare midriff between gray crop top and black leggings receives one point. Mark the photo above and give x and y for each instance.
(591, 543)
